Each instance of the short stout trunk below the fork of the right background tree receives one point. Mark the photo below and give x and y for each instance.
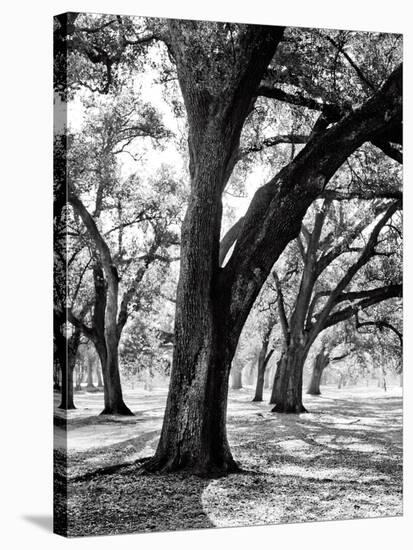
(288, 381)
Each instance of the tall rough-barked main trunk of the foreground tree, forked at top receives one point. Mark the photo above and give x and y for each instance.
(194, 429)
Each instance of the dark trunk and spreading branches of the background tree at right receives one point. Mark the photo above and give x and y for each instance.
(317, 304)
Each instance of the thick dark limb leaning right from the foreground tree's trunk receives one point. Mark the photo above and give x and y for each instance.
(281, 204)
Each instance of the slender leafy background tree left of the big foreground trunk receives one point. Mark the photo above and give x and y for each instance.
(93, 169)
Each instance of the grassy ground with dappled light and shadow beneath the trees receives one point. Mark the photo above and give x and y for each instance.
(342, 460)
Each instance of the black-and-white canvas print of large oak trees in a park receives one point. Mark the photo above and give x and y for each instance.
(227, 274)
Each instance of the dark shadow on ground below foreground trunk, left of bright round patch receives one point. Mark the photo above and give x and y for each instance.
(128, 502)
